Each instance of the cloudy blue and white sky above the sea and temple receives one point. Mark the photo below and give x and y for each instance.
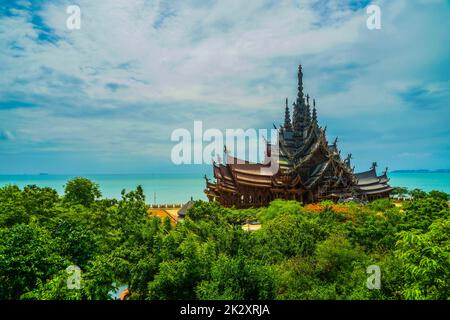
(106, 98)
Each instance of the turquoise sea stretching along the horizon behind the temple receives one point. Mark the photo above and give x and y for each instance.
(179, 188)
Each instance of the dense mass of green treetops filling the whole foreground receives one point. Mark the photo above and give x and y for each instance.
(297, 254)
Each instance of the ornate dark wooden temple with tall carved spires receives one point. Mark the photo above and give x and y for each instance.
(309, 169)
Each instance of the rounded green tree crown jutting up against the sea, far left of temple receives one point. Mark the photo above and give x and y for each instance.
(81, 191)
